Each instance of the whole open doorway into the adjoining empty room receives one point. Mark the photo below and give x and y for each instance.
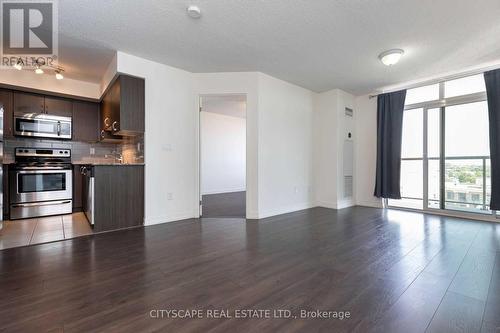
(223, 155)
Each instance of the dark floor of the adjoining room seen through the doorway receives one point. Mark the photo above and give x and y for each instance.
(231, 204)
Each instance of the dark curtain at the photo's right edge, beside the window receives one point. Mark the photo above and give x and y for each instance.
(492, 79)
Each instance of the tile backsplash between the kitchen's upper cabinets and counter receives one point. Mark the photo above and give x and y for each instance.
(132, 149)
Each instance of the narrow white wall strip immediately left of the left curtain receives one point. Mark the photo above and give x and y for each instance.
(365, 119)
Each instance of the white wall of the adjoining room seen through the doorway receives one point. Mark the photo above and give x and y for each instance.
(223, 150)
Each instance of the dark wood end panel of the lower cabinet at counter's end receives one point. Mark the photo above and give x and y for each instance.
(118, 196)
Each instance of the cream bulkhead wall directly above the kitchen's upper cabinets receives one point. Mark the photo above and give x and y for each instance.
(48, 82)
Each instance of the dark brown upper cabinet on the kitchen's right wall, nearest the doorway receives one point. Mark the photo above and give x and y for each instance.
(122, 107)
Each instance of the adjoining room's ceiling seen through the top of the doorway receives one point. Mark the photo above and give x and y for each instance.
(233, 105)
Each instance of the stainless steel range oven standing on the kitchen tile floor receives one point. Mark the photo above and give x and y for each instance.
(41, 183)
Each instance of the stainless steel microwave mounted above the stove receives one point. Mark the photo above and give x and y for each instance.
(42, 126)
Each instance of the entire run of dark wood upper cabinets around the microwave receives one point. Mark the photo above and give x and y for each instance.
(120, 112)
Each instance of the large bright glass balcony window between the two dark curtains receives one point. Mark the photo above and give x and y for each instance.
(445, 161)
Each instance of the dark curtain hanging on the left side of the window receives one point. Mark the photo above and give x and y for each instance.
(390, 109)
